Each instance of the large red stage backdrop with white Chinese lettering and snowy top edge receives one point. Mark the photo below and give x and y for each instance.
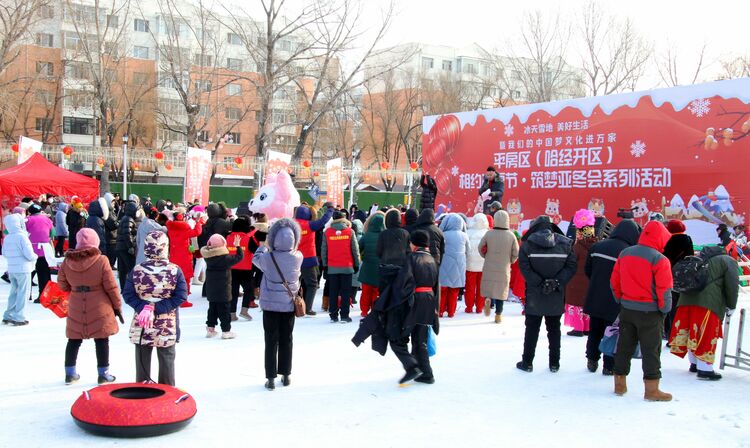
(681, 151)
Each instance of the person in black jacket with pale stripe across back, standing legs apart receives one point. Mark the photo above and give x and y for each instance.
(547, 263)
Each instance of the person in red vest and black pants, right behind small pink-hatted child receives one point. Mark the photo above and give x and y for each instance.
(242, 272)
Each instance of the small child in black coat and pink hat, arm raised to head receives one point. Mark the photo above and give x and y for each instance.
(218, 283)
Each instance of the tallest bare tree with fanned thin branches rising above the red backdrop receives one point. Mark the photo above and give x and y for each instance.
(615, 54)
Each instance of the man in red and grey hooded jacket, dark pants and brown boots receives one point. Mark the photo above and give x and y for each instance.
(642, 284)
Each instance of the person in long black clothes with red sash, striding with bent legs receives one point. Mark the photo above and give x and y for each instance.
(411, 308)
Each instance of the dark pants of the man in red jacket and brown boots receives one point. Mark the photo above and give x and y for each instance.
(645, 327)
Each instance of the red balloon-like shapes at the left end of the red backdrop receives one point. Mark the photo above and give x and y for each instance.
(437, 153)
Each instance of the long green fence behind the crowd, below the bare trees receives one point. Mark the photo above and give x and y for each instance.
(232, 196)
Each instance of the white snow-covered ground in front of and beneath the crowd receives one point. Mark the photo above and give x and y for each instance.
(342, 395)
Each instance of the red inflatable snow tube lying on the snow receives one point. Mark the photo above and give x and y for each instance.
(133, 410)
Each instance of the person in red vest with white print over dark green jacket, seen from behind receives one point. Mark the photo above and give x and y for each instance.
(340, 255)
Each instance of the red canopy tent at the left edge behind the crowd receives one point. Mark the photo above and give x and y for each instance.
(37, 175)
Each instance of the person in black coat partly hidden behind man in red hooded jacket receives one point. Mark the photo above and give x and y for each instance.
(600, 303)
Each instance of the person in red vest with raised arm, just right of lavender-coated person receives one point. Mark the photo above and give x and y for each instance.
(309, 273)
